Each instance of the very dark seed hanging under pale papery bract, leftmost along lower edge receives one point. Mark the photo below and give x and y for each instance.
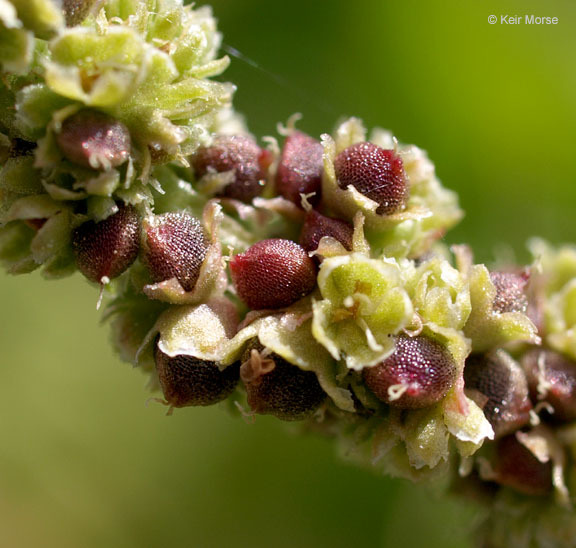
(187, 381)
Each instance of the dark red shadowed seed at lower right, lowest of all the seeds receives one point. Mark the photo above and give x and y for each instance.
(518, 468)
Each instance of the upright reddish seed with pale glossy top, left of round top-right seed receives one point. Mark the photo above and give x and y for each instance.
(300, 168)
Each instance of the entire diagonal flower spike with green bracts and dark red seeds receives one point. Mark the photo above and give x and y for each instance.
(303, 278)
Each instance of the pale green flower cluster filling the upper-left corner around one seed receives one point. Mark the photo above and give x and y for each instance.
(139, 69)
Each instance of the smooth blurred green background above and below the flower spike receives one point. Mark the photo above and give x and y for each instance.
(85, 462)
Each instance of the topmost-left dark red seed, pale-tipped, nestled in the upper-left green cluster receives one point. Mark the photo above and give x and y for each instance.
(94, 140)
